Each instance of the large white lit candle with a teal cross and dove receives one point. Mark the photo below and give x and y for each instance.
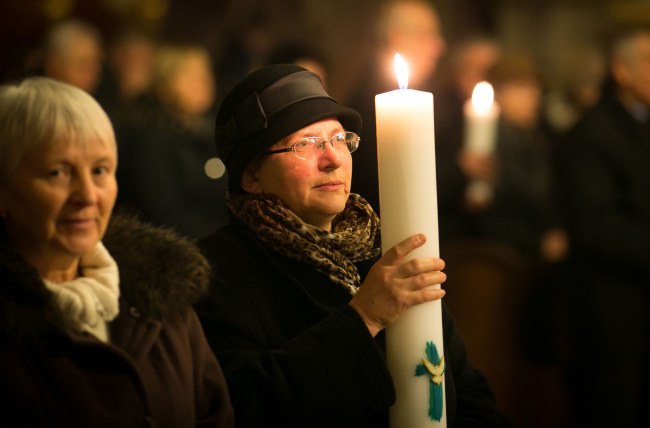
(407, 193)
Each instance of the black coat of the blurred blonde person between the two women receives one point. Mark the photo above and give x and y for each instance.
(162, 174)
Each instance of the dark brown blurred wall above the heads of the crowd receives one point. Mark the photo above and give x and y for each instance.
(552, 30)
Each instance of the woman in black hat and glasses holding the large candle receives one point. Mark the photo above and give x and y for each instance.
(300, 297)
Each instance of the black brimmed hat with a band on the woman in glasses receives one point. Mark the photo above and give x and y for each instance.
(269, 104)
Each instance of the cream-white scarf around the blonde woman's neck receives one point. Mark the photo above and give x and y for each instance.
(91, 300)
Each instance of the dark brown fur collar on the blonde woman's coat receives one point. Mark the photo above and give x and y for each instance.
(161, 274)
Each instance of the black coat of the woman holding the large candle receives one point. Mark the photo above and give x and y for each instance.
(296, 355)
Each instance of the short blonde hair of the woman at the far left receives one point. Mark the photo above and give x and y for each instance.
(39, 111)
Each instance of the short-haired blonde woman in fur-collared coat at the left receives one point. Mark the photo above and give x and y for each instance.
(96, 323)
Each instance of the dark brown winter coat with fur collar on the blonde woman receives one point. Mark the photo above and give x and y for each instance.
(157, 370)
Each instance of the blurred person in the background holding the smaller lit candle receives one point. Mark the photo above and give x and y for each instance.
(523, 210)
